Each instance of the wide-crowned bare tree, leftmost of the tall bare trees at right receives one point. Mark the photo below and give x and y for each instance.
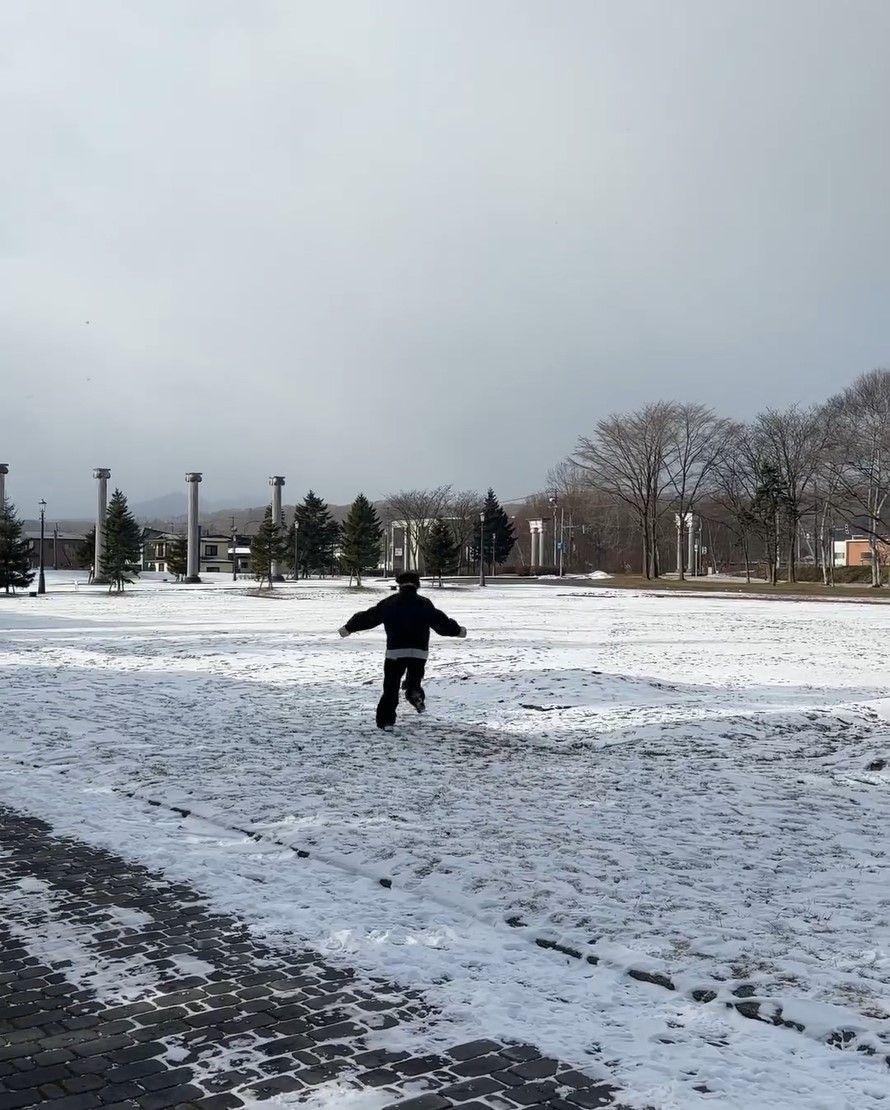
(625, 459)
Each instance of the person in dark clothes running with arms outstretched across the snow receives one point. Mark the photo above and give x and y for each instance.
(408, 619)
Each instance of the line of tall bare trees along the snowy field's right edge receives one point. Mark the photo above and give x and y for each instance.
(768, 495)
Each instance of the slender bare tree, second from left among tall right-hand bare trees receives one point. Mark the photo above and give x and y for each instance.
(696, 440)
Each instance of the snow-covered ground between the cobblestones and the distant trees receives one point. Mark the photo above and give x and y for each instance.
(681, 785)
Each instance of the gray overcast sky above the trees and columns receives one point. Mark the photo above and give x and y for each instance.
(373, 246)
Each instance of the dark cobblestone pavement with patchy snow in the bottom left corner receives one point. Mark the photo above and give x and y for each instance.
(119, 988)
